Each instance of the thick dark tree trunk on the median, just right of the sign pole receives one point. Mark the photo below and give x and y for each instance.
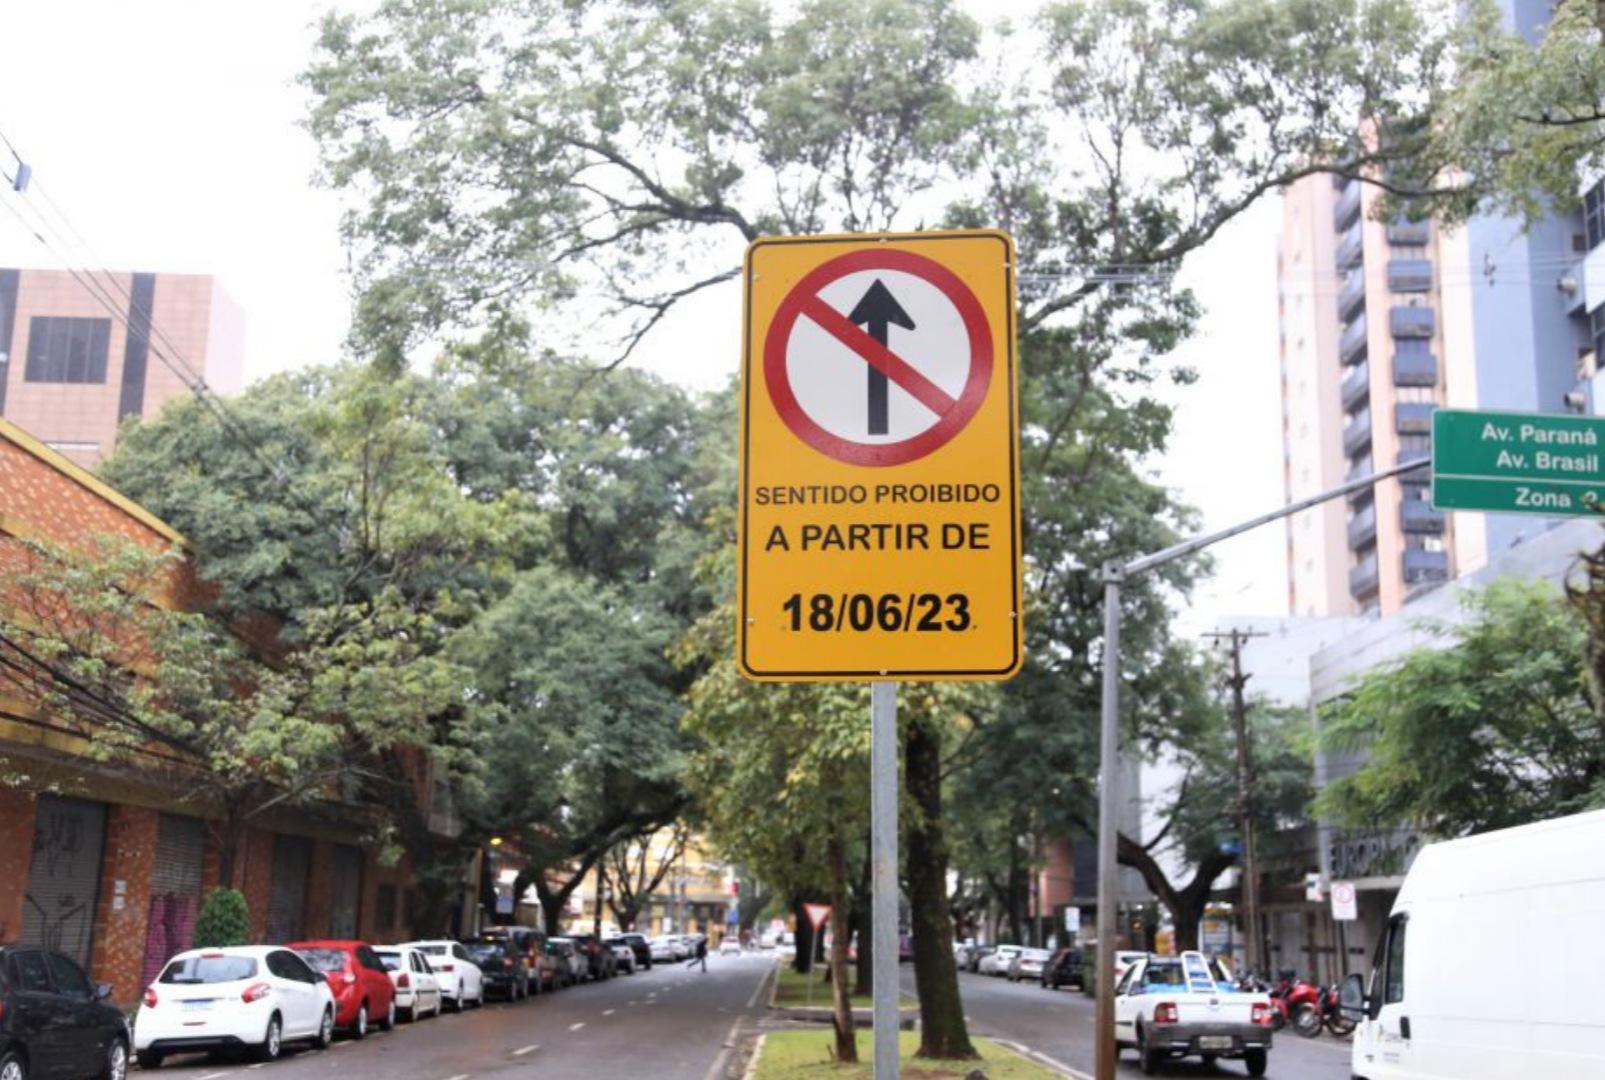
(943, 1031)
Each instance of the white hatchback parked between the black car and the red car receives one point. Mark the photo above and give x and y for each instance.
(258, 997)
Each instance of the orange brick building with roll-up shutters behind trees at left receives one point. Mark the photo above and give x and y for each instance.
(105, 859)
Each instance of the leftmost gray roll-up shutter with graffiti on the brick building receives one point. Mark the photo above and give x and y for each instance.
(63, 880)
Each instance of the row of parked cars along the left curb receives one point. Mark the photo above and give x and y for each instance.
(259, 999)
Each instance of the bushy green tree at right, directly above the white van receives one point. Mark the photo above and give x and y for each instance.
(1492, 726)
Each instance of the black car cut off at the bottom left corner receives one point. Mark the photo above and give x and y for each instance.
(54, 1023)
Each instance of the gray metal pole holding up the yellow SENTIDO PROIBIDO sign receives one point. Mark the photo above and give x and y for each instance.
(884, 851)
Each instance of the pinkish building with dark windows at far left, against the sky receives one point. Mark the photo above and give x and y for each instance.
(71, 373)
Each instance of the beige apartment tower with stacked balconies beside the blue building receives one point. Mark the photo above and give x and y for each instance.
(1363, 365)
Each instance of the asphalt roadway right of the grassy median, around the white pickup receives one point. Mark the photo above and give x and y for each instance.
(1060, 1026)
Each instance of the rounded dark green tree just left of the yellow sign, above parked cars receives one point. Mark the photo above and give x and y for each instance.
(585, 753)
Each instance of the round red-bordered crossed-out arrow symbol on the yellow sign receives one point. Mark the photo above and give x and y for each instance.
(922, 384)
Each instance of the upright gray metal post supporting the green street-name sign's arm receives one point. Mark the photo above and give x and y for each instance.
(1108, 822)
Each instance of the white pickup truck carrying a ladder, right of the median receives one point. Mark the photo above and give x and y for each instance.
(1179, 1007)
